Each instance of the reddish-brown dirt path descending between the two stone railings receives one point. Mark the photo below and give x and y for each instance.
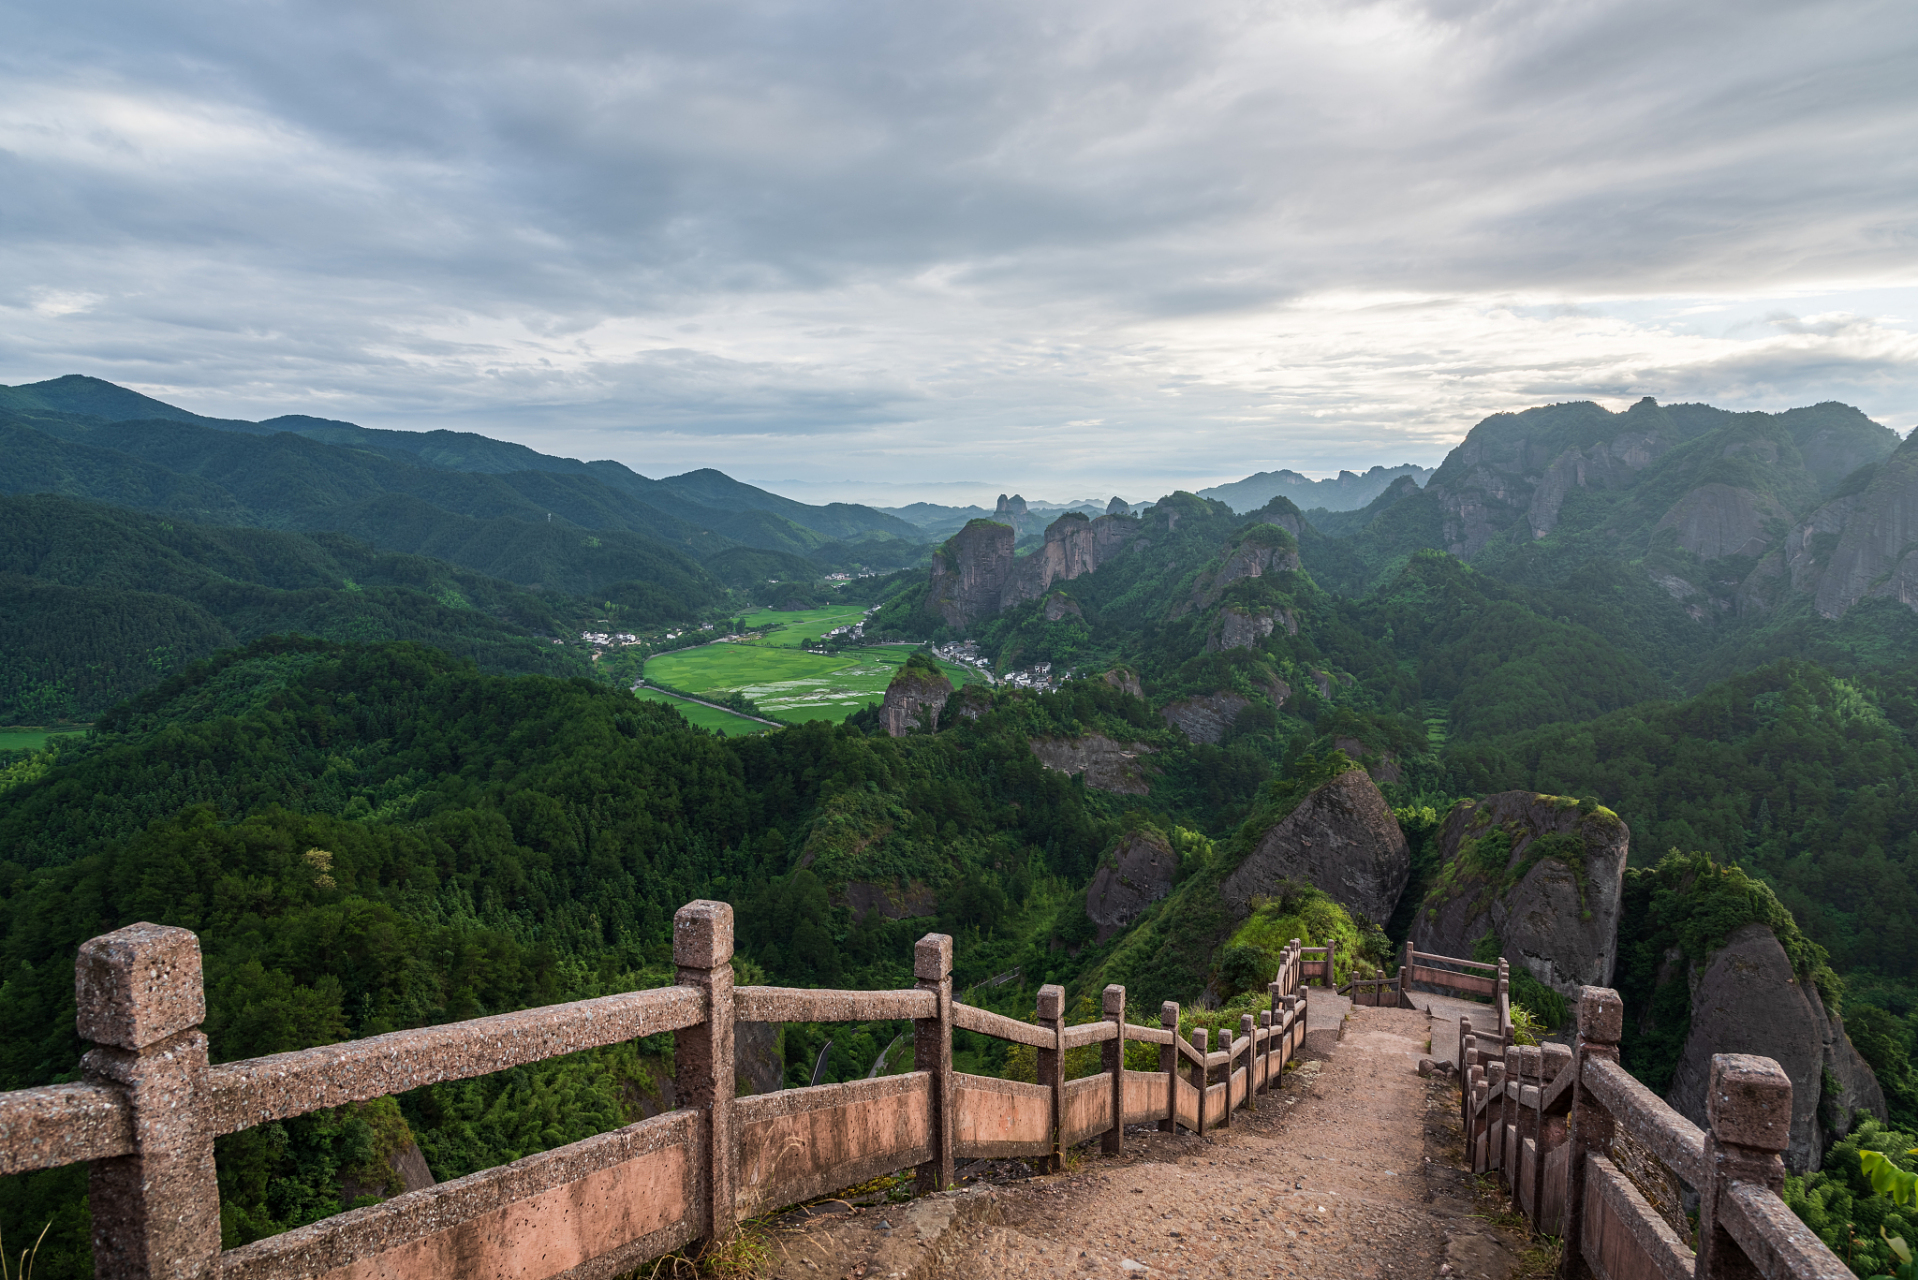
(1351, 1170)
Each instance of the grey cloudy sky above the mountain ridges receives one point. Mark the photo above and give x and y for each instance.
(906, 250)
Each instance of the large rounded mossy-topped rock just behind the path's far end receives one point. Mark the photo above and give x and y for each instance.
(1543, 874)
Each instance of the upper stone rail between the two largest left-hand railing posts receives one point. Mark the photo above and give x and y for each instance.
(283, 1085)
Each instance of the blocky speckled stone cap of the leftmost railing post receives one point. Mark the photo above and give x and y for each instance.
(139, 985)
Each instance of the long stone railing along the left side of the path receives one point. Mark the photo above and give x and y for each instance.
(151, 1106)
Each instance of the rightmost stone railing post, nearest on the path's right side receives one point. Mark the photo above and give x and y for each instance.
(1750, 1126)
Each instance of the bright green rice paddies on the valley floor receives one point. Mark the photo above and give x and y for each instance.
(785, 680)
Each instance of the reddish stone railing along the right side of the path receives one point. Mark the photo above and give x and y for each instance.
(1599, 1160)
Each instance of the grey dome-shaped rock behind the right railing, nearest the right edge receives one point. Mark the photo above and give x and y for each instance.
(1748, 1001)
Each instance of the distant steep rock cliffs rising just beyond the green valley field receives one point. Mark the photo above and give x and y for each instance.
(975, 575)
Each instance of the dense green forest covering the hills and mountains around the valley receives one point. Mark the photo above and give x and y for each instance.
(327, 711)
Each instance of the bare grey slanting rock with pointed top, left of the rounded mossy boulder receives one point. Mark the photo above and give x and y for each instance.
(1344, 840)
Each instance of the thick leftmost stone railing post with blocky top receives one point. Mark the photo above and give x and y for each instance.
(141, 1003)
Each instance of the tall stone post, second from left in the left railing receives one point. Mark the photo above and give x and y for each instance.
(703, 1055)
